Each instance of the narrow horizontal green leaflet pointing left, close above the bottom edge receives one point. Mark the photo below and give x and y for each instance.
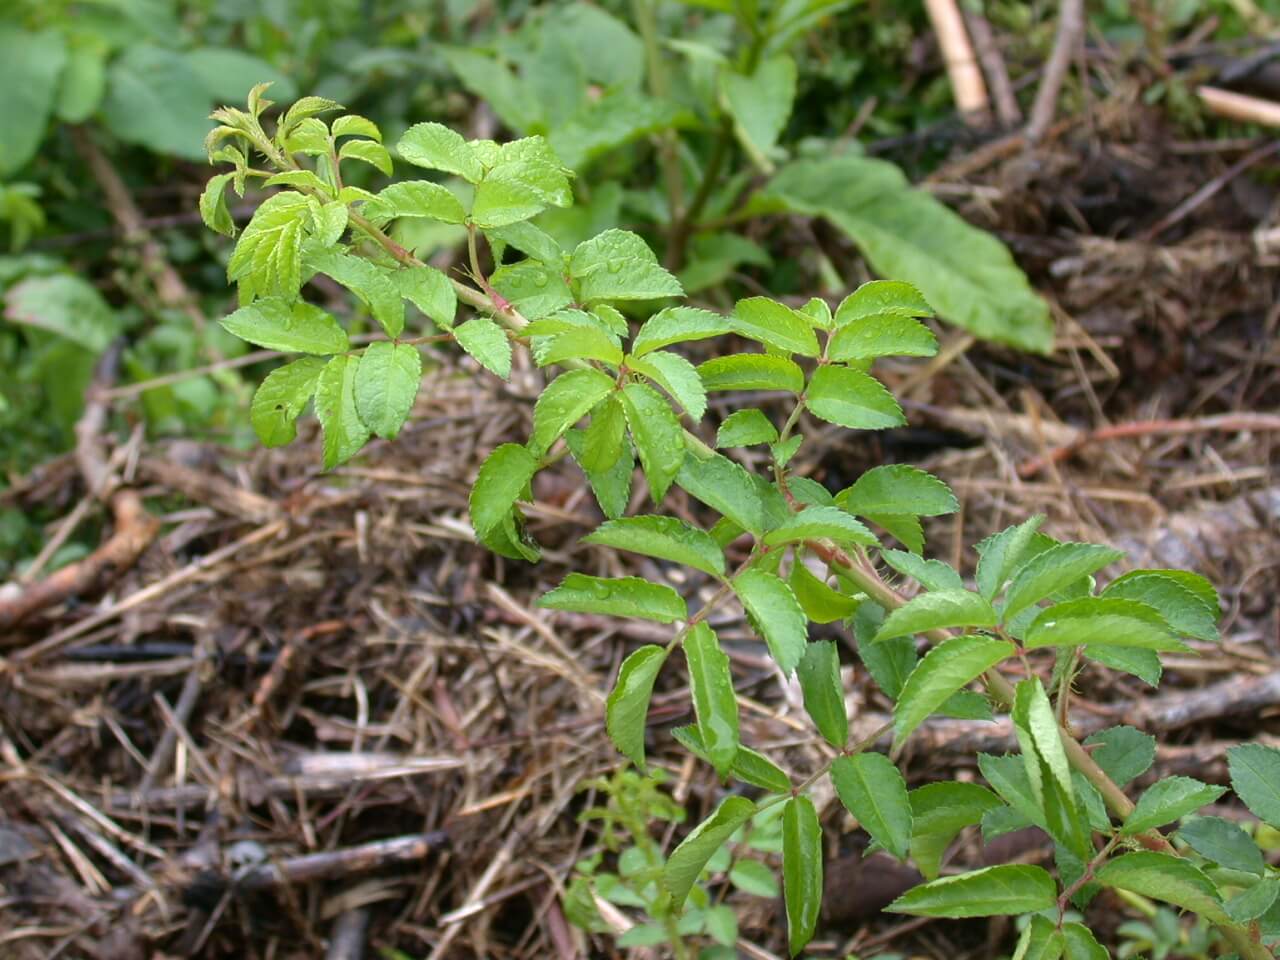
(994, 892)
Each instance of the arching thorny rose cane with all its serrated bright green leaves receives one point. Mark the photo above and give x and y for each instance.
(606, 321)
